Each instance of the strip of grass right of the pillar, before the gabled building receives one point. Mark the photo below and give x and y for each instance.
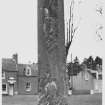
(95, 99)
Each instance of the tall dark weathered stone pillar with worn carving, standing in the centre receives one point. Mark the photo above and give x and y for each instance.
(51, 45)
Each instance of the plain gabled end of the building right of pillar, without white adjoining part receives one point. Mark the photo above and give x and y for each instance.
(83, 82)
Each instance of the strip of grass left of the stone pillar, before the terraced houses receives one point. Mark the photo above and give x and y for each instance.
(20, 100)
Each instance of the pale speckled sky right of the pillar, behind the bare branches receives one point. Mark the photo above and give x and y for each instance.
(86, 43)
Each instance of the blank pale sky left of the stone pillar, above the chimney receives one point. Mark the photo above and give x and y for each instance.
(18, 32)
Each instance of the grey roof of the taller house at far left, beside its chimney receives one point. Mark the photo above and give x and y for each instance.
(8, 64)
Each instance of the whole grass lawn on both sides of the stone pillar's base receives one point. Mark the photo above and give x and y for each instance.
(95, 99)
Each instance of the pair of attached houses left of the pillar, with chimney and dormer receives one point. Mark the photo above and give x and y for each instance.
(19, 78)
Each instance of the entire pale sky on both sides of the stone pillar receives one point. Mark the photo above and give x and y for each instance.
(18, 29)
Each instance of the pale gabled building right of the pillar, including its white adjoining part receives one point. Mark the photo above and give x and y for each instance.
(86, 81)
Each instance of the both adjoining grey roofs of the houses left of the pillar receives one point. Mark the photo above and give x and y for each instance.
(9, 64)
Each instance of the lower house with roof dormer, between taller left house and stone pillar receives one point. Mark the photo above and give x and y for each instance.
(27, 79)
